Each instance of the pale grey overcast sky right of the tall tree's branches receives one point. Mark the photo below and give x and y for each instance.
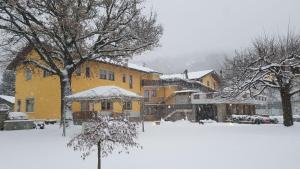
(198, 33)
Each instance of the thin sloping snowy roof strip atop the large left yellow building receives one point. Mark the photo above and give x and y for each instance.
(126, 64)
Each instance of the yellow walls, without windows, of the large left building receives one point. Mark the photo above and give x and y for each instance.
(46, 90)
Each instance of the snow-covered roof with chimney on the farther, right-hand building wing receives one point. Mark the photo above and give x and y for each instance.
(191, 75)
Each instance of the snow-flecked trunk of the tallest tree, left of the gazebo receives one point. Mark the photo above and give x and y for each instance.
(65, 90)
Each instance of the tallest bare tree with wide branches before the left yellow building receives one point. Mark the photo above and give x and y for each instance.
(67, 33)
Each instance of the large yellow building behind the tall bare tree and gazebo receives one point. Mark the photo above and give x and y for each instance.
(38, 92)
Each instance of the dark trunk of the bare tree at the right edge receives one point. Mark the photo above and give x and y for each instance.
(286, 107)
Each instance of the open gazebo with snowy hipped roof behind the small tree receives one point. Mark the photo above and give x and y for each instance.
(107, 100)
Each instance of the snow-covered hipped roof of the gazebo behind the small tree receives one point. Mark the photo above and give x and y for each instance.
(104, 92)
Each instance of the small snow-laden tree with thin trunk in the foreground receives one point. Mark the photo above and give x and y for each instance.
(104, 134)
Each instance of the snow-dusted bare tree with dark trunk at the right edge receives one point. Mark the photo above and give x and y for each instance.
(272, 62)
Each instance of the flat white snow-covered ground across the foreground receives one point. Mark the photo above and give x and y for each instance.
(180, 145)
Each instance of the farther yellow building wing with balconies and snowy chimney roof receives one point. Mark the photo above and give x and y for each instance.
(172, 92)
